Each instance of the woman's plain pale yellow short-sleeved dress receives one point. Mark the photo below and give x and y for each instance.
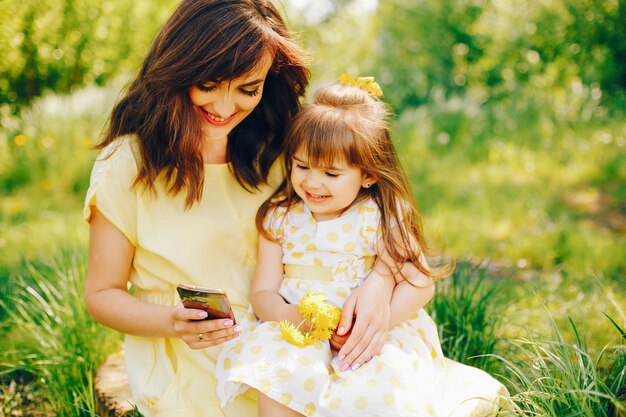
(212, 244)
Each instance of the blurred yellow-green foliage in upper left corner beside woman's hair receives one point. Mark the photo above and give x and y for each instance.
(57, 45)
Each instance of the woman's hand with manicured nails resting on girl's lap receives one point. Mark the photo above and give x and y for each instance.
(369, 305)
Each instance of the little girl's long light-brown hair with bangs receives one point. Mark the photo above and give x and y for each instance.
(345, 123)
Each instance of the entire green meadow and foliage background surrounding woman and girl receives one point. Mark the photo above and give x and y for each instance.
(509, 121)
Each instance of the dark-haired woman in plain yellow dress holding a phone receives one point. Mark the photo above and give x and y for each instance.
(190, 153)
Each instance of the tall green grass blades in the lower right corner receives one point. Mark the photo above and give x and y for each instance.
(560, 378)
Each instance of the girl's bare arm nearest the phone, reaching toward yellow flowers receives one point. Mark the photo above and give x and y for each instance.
(266, 302)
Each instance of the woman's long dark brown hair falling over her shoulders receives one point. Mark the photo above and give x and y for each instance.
(210, 40)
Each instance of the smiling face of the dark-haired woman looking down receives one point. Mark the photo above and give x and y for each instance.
(222, 106)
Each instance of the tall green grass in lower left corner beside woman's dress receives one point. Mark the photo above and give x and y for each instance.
(52, 344)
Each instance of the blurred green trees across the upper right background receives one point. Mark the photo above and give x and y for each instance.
(427, 48)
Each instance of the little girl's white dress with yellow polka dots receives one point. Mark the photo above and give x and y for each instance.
(332, 257)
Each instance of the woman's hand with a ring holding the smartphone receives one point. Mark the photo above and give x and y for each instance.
(189, 325)
